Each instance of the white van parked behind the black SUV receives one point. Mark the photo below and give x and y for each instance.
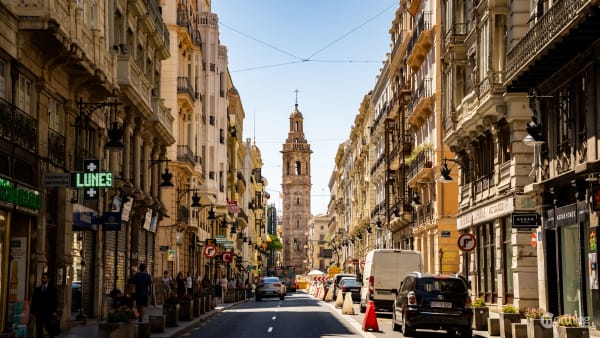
(384, 270)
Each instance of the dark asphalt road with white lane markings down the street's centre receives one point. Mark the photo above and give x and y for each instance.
(299, 315)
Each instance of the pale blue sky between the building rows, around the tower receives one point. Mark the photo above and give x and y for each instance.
(330, 51)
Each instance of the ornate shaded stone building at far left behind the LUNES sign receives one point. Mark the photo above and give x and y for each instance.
(79, 93)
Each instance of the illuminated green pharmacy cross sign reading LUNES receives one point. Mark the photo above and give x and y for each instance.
(91, 178)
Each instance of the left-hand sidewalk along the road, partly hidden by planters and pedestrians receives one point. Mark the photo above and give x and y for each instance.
(90, 330)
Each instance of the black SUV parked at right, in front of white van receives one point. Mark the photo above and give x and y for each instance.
(435, 302)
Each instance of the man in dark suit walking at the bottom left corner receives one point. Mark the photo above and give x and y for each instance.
(43, 306)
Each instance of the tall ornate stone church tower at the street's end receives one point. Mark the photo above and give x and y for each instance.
(296, 193)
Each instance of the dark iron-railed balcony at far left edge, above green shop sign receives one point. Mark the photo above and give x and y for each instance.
(17, 126)
